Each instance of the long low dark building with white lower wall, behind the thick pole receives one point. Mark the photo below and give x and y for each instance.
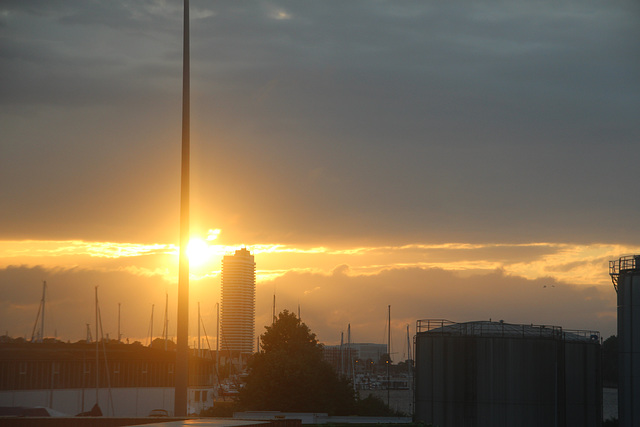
(125, 380)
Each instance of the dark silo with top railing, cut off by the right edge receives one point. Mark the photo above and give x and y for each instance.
(625, 274)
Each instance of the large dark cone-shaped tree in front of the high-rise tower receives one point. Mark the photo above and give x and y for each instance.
(290, 375)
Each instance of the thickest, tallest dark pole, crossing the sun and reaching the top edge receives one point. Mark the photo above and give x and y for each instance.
(182, 353)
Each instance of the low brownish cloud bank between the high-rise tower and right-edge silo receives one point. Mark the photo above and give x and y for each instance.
(330, 302)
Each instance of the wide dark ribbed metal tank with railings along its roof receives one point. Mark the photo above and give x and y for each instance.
(496, 374)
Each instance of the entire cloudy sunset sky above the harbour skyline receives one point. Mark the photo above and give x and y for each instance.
(466, 161)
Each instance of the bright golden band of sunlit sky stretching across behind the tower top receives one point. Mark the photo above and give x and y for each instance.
(570, 263)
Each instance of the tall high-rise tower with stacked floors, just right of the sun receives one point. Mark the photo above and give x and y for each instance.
(237, 326)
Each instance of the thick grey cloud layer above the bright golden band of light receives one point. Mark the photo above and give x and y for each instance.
(379, 121)
